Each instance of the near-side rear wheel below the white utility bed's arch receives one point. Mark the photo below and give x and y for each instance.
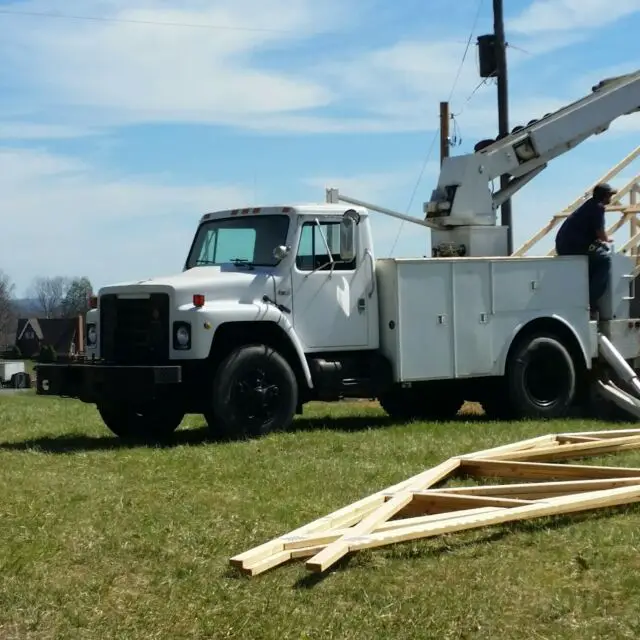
(541, 379)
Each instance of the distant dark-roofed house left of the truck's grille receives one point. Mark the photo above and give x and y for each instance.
(65, 335)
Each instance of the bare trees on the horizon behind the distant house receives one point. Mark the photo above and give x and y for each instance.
(47, 297)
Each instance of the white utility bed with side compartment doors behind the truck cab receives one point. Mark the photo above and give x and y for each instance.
(443, 318)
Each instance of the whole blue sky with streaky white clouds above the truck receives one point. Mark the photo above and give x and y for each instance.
(116, 134)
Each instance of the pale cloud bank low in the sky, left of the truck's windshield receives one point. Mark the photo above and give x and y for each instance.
(67, 218)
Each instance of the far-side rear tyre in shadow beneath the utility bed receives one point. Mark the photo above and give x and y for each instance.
(415, 404)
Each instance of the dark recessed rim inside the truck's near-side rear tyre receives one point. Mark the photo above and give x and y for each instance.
(545, 377)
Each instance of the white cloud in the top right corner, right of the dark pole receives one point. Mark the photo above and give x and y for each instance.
(571, 15)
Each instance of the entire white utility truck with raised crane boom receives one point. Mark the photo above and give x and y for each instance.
(280, 305)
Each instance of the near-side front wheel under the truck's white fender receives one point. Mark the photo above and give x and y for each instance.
(255, 391)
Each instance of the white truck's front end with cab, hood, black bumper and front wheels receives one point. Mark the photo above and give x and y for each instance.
(293, 286)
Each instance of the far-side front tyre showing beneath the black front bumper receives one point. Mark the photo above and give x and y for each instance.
(153, 422)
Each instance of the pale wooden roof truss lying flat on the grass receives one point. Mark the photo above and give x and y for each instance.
(415, 509)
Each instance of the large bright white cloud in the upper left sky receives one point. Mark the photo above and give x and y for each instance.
(135, 72)
